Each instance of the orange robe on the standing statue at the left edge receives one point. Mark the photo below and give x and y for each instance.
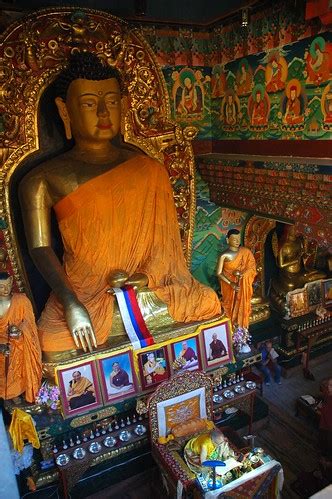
(25, 367)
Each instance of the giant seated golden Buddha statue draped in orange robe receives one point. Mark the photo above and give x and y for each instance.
(116, 215)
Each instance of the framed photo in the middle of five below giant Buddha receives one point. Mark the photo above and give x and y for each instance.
(154, 367)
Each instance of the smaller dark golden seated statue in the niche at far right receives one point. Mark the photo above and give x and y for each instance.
(291, 256)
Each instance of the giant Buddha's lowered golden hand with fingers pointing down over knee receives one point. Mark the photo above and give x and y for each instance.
(80, 326)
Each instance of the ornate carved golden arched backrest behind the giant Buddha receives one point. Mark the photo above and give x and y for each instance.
(32, 53)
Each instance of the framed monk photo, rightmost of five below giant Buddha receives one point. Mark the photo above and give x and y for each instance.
(217, 344)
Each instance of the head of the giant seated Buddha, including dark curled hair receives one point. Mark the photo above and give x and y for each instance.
(89, 99)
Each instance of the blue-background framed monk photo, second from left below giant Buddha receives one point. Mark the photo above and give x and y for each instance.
(117, 378)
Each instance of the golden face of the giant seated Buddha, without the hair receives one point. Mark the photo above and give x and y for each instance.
(94, 109)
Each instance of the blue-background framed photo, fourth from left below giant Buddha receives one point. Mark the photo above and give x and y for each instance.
(186, 355)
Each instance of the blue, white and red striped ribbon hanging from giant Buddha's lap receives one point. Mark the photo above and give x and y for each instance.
(132, 317)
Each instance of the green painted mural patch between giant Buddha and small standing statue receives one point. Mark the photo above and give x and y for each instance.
(211, 226)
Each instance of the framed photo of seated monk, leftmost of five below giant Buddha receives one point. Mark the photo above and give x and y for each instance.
(79, 388)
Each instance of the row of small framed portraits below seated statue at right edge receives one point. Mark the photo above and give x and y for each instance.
(305, 300)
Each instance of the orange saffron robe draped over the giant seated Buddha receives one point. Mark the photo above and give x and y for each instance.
(123, 219)
